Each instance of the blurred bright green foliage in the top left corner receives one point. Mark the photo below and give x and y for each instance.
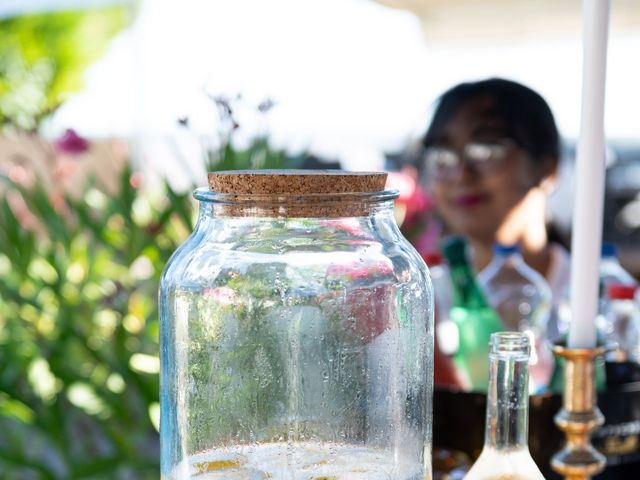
(43, 59)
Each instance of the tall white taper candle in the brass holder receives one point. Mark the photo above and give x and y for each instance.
(590, 167)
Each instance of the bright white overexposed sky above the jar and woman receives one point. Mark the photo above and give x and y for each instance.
(351, 79)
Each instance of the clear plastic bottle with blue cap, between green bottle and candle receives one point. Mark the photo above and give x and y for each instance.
(522, 298)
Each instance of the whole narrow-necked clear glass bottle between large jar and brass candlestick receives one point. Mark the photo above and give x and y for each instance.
(506, 451)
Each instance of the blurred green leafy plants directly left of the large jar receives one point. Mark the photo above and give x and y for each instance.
(79, 331)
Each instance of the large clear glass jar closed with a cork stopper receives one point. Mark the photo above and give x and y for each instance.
(296, 334)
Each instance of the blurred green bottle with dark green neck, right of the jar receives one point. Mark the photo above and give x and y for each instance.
(471, 314)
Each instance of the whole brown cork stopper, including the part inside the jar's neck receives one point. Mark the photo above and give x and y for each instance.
(297, 193)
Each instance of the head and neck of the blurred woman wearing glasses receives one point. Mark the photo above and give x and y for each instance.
(490, 160)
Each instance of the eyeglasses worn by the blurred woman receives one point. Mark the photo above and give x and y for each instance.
(486, 158)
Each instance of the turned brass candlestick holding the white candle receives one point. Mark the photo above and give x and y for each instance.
(579, 416)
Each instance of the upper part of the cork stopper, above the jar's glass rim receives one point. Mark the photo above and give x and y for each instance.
(295, 182)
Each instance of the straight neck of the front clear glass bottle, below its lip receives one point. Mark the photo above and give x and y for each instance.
(507, 402)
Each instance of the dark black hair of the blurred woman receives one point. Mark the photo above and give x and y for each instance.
(526, 115)
